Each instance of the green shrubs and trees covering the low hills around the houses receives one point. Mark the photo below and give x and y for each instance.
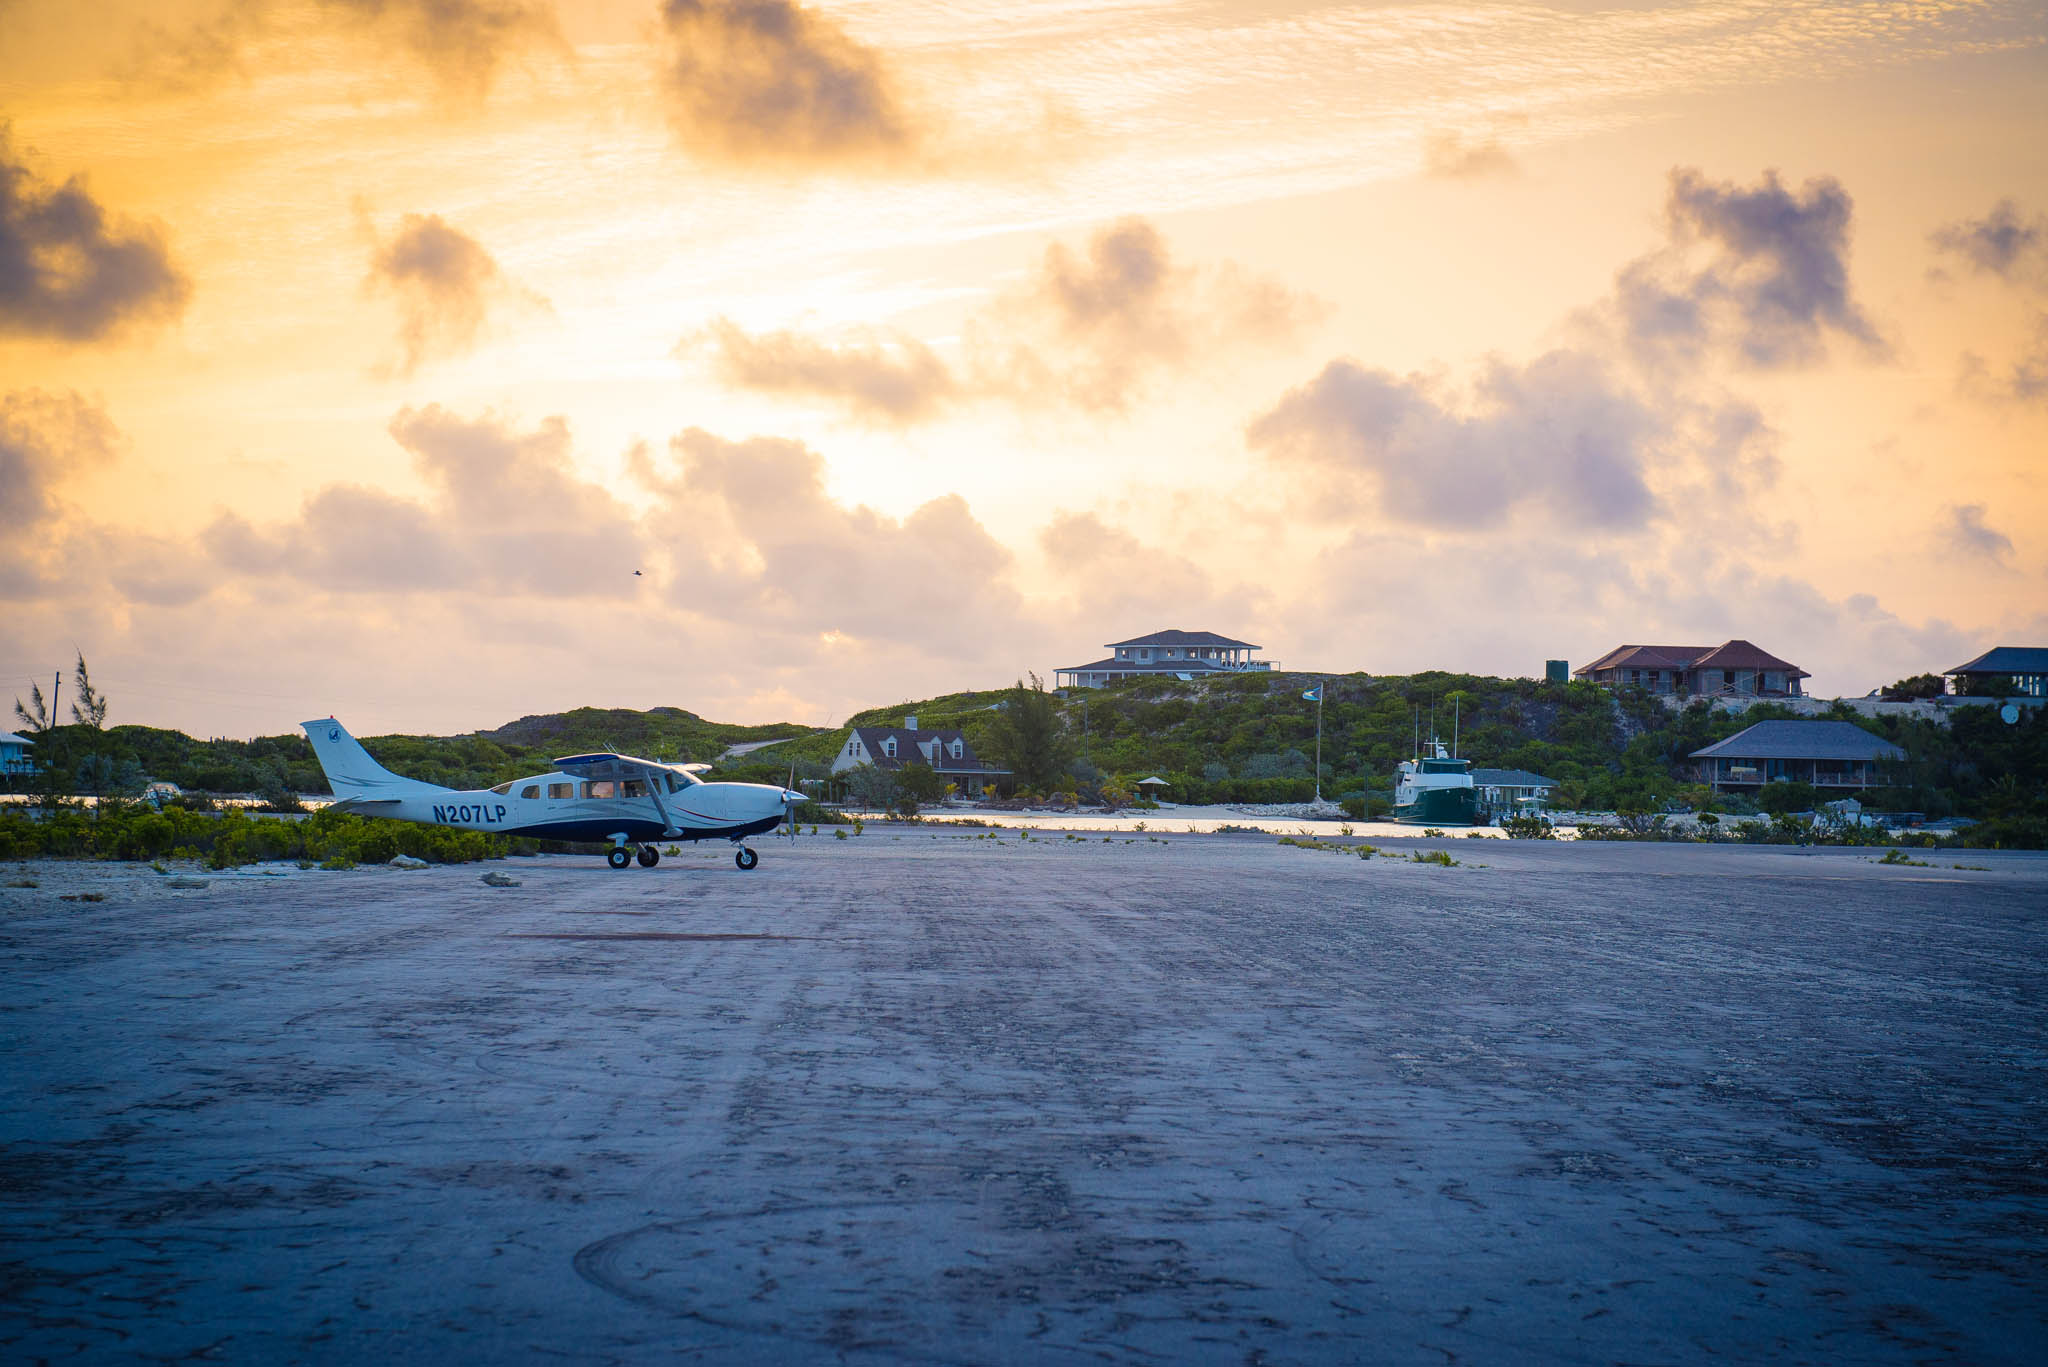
(1230, 739)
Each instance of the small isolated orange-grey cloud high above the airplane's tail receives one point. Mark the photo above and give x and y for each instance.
(445, 284)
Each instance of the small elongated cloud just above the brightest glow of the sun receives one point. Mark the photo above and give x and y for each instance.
(880, 378)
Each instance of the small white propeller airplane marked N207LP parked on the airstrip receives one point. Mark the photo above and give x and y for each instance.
(615, 798)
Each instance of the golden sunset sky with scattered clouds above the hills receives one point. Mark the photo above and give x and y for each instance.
(355, 354)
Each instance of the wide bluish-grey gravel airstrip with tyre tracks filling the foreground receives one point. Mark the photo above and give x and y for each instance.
(955, 1100)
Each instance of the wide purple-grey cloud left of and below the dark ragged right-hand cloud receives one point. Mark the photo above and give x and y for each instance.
(1560, 433)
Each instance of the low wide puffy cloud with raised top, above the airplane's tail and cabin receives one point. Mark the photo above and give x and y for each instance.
(507, 515)
